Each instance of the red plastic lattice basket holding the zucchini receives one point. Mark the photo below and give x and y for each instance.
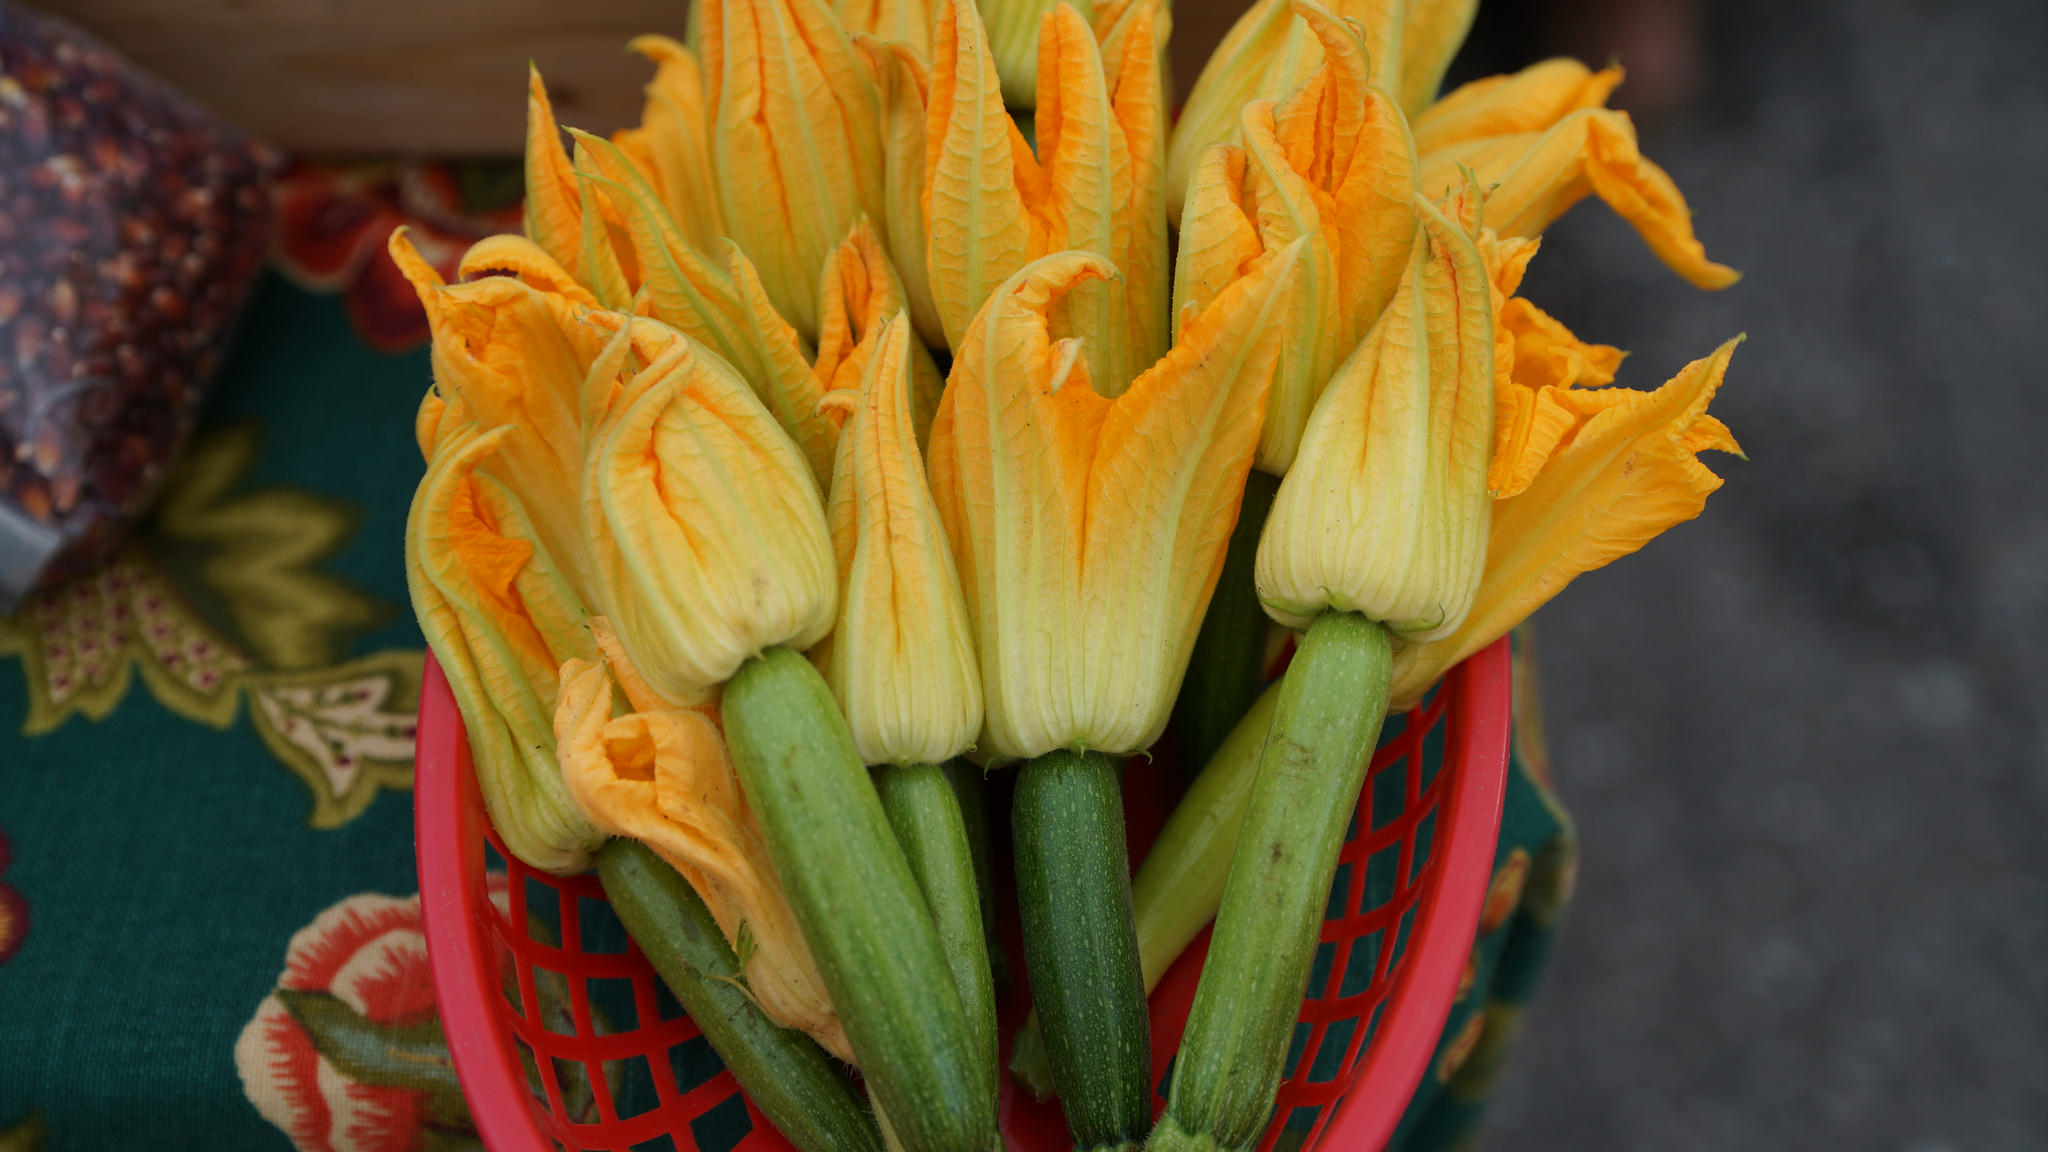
(562, 1034)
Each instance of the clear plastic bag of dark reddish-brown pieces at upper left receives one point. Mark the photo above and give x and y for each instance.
(132, 229)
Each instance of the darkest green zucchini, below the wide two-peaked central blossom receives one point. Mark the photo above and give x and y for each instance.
(1080, 946)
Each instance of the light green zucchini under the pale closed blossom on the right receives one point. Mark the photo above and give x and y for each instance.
(1318, 749)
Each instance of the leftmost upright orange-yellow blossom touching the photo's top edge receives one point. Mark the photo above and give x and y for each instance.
(796, 136)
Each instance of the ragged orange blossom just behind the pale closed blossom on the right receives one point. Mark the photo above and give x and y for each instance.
(1332, 163)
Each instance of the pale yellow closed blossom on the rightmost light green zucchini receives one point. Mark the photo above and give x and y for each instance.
(1385, 509)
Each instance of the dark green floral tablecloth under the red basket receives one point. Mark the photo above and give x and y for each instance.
(208, 915)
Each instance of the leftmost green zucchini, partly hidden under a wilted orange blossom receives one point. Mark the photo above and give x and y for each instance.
(796, 1085)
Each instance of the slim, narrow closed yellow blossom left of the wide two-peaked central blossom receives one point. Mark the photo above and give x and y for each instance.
(902, 661)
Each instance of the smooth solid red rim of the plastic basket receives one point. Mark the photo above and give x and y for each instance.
(450, 821)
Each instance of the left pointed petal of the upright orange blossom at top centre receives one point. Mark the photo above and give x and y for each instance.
(976, 171)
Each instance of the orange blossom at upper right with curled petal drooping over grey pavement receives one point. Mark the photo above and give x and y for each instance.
(1541, 142)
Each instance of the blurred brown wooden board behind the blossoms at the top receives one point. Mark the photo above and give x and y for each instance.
(429, 77)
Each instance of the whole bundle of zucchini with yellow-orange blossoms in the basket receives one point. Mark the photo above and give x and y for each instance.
(904, 411)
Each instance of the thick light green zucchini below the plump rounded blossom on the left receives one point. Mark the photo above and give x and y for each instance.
(857, 903)
